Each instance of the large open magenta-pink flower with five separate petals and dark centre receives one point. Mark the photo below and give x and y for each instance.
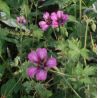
(43, 63)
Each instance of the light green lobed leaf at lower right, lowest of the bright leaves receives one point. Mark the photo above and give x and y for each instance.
(82, 74)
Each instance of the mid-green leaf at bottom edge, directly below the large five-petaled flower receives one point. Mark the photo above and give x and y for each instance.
(42, 91)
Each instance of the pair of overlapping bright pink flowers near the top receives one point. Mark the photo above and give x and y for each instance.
(55, 19)
